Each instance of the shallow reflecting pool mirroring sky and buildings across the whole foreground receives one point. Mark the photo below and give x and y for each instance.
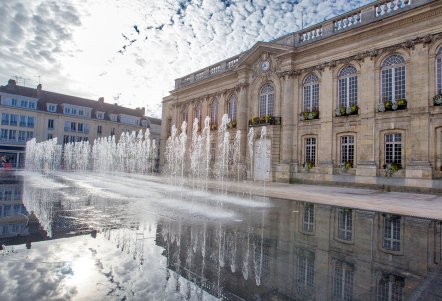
(74, 236)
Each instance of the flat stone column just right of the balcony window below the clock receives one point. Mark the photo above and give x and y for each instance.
(287, 104)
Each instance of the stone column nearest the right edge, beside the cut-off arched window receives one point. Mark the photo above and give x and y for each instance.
(417, 142)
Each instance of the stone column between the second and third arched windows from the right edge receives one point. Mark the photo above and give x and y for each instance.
(366, 138)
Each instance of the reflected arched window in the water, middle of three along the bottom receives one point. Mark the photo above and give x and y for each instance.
(342, 281)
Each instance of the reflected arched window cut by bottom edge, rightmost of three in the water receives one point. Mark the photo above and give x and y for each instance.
(390, 288)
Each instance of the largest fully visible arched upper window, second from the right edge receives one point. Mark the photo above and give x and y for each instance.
(393, 78)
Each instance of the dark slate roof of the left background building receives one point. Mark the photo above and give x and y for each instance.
(45, 97)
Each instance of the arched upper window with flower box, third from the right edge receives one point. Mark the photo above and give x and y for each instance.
(348, 87)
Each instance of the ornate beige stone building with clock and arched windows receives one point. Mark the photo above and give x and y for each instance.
(352, 99)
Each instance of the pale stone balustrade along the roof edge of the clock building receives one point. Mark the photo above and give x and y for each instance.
(359, 17)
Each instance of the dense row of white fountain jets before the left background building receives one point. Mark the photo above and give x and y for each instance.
(134, 153)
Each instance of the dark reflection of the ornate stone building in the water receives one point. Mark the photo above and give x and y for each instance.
(310, 252)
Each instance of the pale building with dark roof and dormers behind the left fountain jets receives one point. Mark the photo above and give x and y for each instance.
(35, 113)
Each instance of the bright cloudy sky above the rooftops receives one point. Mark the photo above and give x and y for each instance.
(130, 51)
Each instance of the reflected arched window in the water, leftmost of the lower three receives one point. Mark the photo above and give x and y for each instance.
(305, 269)
